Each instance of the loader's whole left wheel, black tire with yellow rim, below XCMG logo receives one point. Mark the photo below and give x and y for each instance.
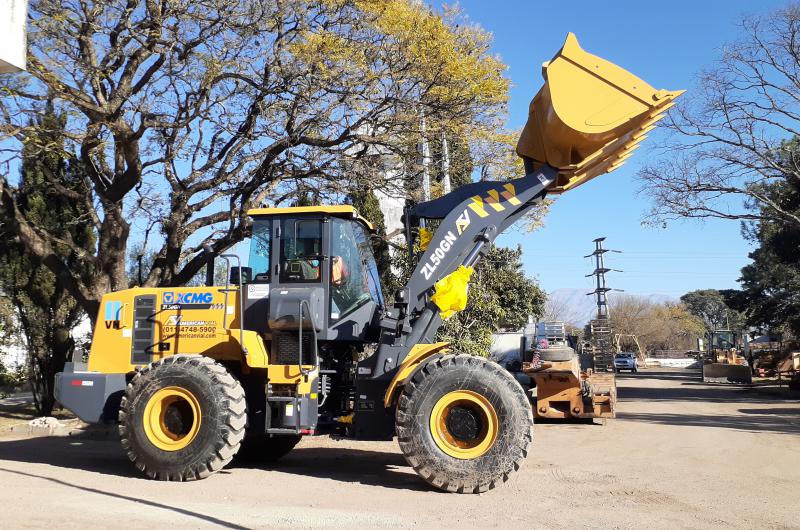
(182, 418)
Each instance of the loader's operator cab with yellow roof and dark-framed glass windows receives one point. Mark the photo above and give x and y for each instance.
(319, 257)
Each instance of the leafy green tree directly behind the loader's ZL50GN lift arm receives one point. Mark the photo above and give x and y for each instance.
(500, 296)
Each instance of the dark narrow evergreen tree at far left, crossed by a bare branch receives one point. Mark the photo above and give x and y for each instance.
(43, 307)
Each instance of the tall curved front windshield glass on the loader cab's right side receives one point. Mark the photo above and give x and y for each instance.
(352, 285)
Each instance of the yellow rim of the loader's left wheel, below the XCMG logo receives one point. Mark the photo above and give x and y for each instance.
(172, 418)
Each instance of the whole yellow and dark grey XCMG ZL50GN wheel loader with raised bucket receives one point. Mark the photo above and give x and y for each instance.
(195, 374)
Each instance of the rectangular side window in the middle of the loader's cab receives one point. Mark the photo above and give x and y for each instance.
(301, 250)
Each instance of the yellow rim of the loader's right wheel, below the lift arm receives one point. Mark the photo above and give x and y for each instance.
(464, 424)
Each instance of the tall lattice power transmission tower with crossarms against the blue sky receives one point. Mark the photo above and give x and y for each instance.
(600, 328)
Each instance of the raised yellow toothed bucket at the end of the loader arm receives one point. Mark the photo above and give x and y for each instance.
(588, 117)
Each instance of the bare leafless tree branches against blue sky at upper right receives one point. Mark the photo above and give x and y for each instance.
(728, 139)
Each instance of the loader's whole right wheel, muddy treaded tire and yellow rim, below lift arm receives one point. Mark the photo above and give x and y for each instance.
(464, 423)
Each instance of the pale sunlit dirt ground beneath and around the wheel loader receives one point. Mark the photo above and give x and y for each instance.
(681, 454)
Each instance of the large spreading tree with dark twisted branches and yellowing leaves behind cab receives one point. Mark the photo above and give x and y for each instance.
(184, 115)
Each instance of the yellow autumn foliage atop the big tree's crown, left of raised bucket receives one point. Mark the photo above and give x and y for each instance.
(448, 61)
